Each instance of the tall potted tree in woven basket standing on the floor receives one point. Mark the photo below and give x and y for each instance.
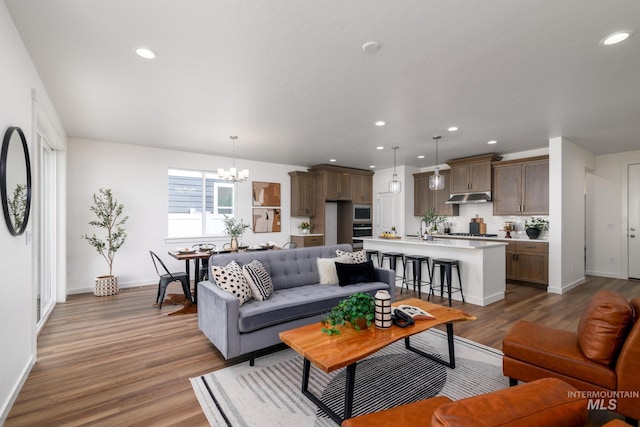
(108, 212)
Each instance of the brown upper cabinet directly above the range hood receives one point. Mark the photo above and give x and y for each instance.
(472, 173)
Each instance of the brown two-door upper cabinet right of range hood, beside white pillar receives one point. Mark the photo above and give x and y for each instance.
(521, 187)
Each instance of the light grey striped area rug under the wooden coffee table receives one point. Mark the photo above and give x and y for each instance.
(268, 394)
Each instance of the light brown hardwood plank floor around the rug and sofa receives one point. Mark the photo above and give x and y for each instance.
(119, 361)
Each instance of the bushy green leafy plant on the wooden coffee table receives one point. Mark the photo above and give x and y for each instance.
(357, 309)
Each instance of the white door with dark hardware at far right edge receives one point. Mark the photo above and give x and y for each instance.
(633, 230)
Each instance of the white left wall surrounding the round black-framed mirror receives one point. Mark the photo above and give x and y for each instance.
(17, 296)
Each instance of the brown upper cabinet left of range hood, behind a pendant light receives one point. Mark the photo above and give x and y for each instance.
(424, 198)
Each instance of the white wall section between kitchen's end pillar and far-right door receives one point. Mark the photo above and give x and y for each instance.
(606, 215)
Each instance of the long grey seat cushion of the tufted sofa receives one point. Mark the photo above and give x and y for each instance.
(296, 303)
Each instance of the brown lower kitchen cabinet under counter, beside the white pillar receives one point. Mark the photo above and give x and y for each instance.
(527, 261)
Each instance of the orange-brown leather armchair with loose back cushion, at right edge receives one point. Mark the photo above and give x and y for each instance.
(602, 358)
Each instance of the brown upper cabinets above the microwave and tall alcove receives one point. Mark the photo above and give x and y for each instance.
(344, 184)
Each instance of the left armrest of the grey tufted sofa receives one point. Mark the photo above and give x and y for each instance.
(218, 313)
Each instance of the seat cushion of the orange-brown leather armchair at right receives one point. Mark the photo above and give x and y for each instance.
(555, 350)
